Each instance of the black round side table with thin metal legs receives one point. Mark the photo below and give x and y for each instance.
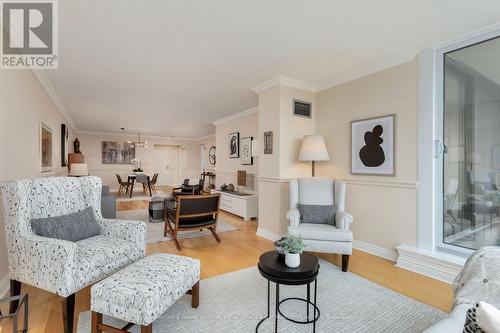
(272, 267)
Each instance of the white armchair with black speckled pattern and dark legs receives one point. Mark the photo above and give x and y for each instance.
(59, 266)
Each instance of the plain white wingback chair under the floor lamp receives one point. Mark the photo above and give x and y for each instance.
(325, 238)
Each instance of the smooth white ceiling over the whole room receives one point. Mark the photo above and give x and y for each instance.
(171, 67)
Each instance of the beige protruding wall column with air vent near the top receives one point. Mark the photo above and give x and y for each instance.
(276, 114)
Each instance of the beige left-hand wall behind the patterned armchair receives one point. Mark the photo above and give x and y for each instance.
(23, 105)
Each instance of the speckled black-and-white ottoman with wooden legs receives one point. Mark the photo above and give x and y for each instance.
(143, 291)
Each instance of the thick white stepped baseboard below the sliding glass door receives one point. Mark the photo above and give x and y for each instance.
(437, 266)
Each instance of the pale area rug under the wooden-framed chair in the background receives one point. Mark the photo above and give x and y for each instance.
(155, 230)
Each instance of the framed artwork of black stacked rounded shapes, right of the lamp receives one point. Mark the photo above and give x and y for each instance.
(373, 146)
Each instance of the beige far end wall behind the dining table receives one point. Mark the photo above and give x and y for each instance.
(155, 158)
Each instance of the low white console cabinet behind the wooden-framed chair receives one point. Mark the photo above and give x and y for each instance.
(244, 205)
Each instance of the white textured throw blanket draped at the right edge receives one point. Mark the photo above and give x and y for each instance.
(479, 280)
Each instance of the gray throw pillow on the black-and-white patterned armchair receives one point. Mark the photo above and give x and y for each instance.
(72, 227)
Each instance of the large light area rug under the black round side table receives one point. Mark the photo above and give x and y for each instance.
(235, 302)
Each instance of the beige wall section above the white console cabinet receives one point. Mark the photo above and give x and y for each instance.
(226, 167)
